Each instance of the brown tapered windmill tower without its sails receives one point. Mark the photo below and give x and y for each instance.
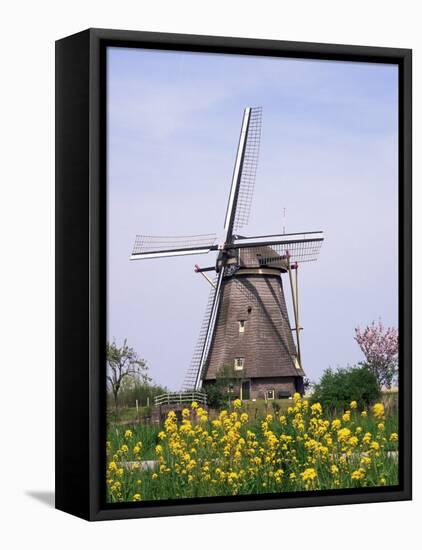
(253, 336)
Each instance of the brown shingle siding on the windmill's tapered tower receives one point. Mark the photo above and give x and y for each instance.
(266, 344)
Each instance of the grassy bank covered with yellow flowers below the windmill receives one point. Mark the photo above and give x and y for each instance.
(249, 450)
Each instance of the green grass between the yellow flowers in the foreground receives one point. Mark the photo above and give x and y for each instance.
(175, 484)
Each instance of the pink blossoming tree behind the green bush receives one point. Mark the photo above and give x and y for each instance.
(380, 347)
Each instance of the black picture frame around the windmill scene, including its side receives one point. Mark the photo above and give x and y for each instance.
(81, 274)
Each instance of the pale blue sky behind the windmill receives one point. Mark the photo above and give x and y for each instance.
(328, 155)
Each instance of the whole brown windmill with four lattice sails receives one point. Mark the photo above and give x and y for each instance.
(246, 325)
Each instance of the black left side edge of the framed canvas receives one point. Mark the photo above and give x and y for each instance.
(72, 468)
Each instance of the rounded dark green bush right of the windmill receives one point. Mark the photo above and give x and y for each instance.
(337, 389)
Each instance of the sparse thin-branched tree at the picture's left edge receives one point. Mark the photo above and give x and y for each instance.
(123, 363)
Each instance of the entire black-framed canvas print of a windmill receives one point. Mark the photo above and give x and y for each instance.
(254, 159)
